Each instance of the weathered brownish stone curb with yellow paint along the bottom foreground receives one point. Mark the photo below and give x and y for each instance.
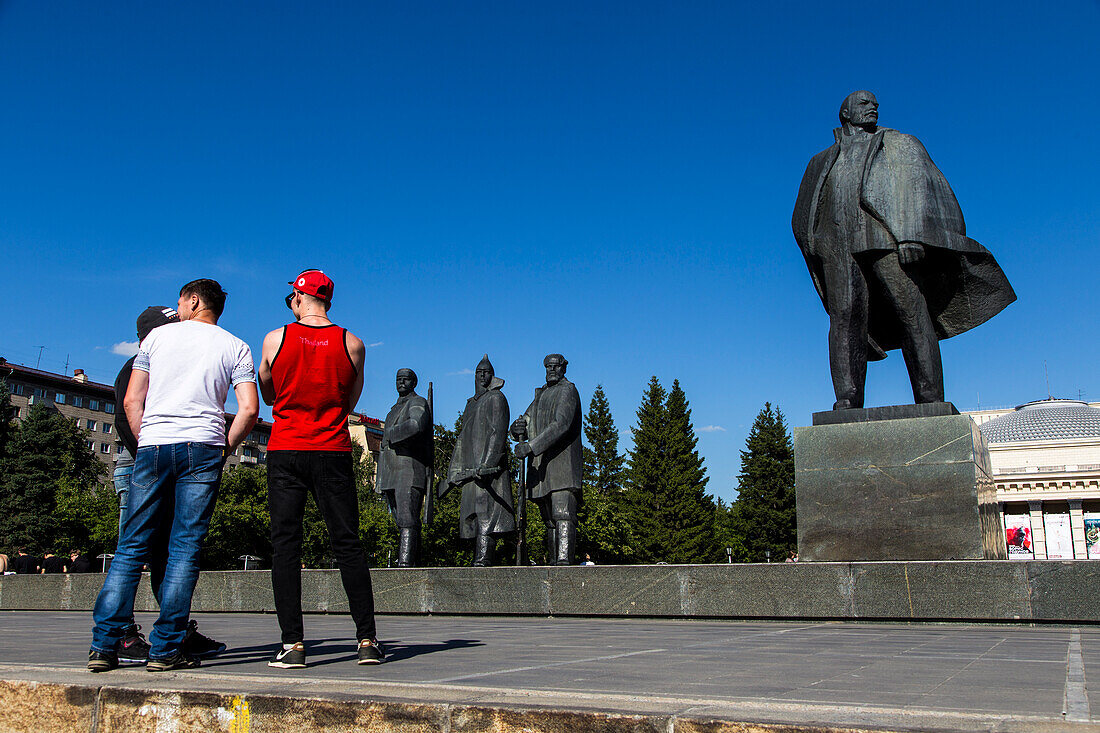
(78, 708)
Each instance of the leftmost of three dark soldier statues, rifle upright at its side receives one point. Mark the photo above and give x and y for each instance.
(404, 465)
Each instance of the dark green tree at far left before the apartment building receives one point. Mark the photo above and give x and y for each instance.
(43, 452)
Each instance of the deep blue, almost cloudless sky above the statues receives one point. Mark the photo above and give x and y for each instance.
(610, 181)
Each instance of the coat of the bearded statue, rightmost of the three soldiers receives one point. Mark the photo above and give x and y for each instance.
(554, 428)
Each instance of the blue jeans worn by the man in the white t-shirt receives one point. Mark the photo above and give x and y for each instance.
(174, 487)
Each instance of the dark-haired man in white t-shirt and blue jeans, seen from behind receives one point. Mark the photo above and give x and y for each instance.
(177, 408)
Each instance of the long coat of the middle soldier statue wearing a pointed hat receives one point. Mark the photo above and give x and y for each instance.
(483, 444)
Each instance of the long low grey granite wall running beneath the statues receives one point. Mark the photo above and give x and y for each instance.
(1058, 592)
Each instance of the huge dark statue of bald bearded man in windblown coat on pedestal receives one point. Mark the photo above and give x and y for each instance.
(886, 245)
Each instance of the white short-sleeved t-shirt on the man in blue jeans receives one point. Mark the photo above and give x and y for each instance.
(191, 368)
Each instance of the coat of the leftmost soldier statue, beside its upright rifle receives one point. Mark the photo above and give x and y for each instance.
(408, 446)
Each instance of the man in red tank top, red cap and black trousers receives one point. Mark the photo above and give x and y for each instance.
(312, 374)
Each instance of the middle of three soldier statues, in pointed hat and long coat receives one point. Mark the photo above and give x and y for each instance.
(480, 465)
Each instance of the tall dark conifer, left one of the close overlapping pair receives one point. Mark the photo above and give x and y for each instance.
(645, 476)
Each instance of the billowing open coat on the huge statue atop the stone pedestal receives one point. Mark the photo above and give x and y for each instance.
(904, 192)
